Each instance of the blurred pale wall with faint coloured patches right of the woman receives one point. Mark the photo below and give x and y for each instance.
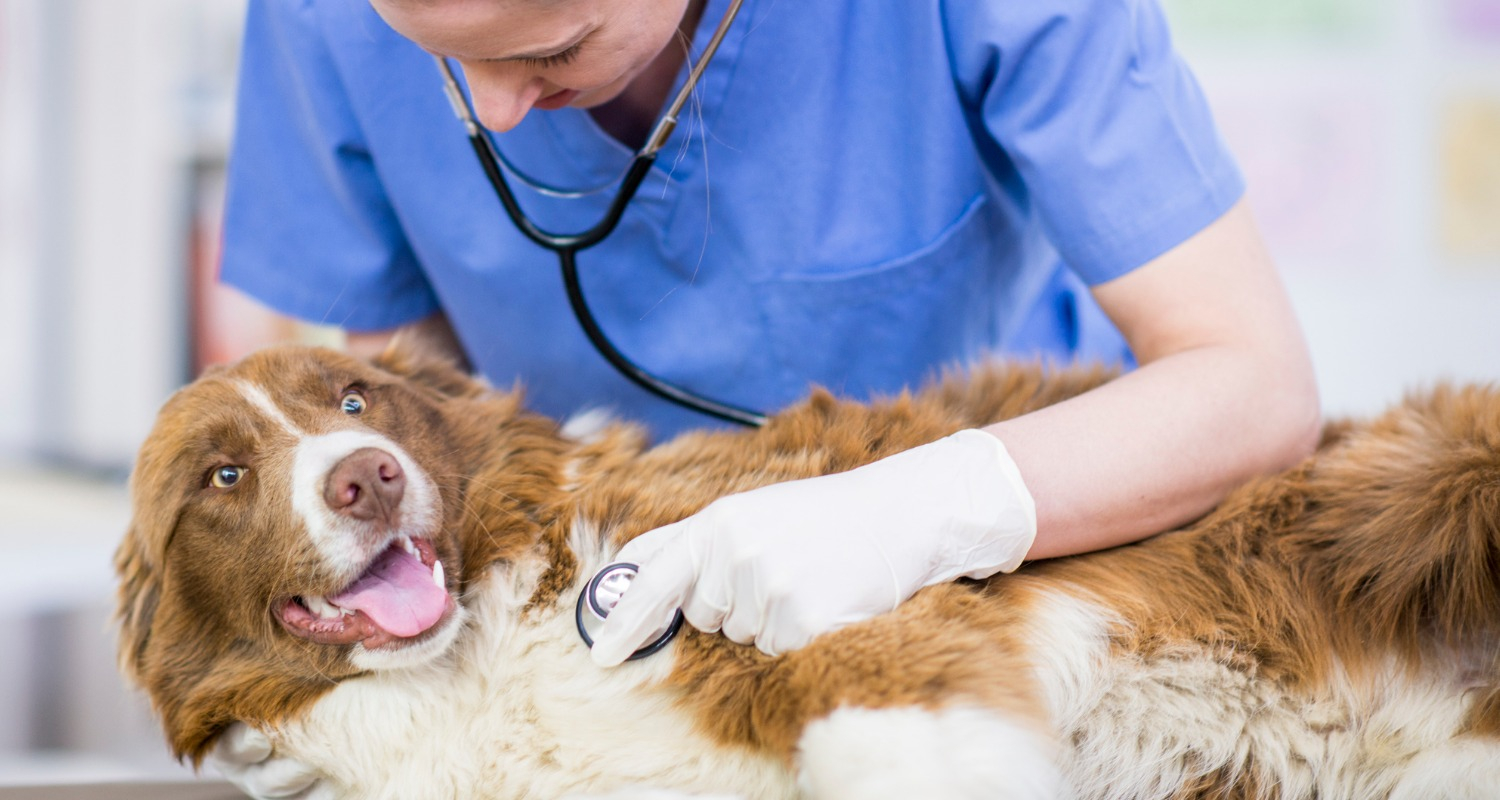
(1352, 119)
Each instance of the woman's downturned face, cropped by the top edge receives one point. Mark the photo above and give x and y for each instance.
(523, 55)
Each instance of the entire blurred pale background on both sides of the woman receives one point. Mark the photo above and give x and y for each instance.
(1370, 131)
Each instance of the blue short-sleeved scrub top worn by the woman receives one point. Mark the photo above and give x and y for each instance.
(862, 196)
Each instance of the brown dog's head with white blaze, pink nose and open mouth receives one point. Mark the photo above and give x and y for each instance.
(298, 523)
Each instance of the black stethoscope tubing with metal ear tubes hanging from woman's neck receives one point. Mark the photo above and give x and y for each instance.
(568, 245)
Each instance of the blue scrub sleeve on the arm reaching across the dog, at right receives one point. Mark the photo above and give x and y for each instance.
(1100, 121)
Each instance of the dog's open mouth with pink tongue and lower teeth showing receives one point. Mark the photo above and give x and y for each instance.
(401, 597)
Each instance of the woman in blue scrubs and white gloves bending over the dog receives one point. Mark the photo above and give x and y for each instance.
(857, 196)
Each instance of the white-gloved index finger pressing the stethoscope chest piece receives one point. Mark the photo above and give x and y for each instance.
(647, 607)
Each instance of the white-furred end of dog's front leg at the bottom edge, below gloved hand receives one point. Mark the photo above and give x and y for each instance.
(898, 754)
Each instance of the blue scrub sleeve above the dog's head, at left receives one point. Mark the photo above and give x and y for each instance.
(310, 227)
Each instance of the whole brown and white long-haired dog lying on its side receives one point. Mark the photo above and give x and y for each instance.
(1328, 633)
